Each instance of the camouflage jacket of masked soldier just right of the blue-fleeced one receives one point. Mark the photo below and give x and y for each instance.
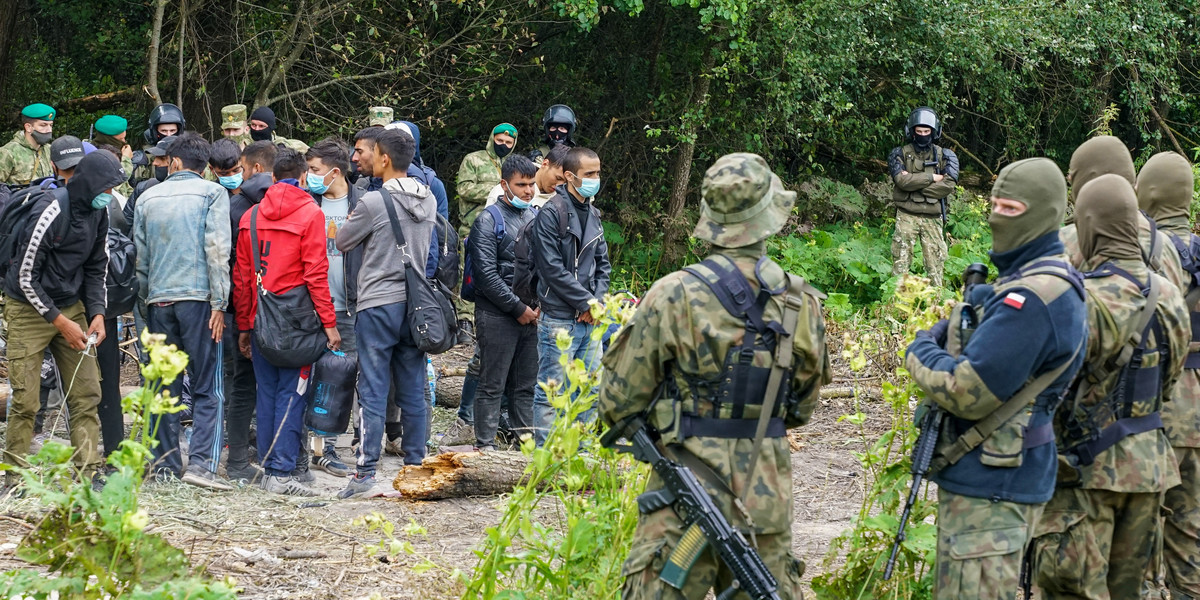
(1143, 463)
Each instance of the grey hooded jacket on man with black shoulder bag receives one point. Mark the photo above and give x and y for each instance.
(381, 279)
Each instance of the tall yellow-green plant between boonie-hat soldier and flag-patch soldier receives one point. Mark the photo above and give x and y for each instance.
(868, 544)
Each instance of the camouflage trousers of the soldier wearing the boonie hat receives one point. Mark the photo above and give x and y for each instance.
(657, 537)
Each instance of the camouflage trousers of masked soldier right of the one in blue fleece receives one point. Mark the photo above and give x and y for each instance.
(1096, 544)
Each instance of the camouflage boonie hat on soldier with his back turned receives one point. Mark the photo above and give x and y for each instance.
(742, 203)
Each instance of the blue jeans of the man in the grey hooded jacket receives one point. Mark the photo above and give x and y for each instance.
(389, 359)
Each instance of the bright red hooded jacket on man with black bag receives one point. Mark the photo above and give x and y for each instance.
(291, 232)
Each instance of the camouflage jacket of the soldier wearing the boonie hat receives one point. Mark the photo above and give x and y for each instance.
(682, 327)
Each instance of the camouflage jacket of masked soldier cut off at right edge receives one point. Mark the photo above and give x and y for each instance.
(1181, 416)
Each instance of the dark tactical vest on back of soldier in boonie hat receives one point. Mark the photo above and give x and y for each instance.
(718, 406)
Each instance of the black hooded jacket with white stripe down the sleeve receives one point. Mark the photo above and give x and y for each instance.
(63, 255)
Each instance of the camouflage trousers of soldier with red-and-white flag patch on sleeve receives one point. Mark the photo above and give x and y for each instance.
(981, 547)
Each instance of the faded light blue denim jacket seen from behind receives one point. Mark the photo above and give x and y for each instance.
(182, 232)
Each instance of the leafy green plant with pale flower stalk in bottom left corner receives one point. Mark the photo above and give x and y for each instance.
(95, 542)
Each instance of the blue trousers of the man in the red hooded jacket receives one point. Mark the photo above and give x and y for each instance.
(280, 405)
